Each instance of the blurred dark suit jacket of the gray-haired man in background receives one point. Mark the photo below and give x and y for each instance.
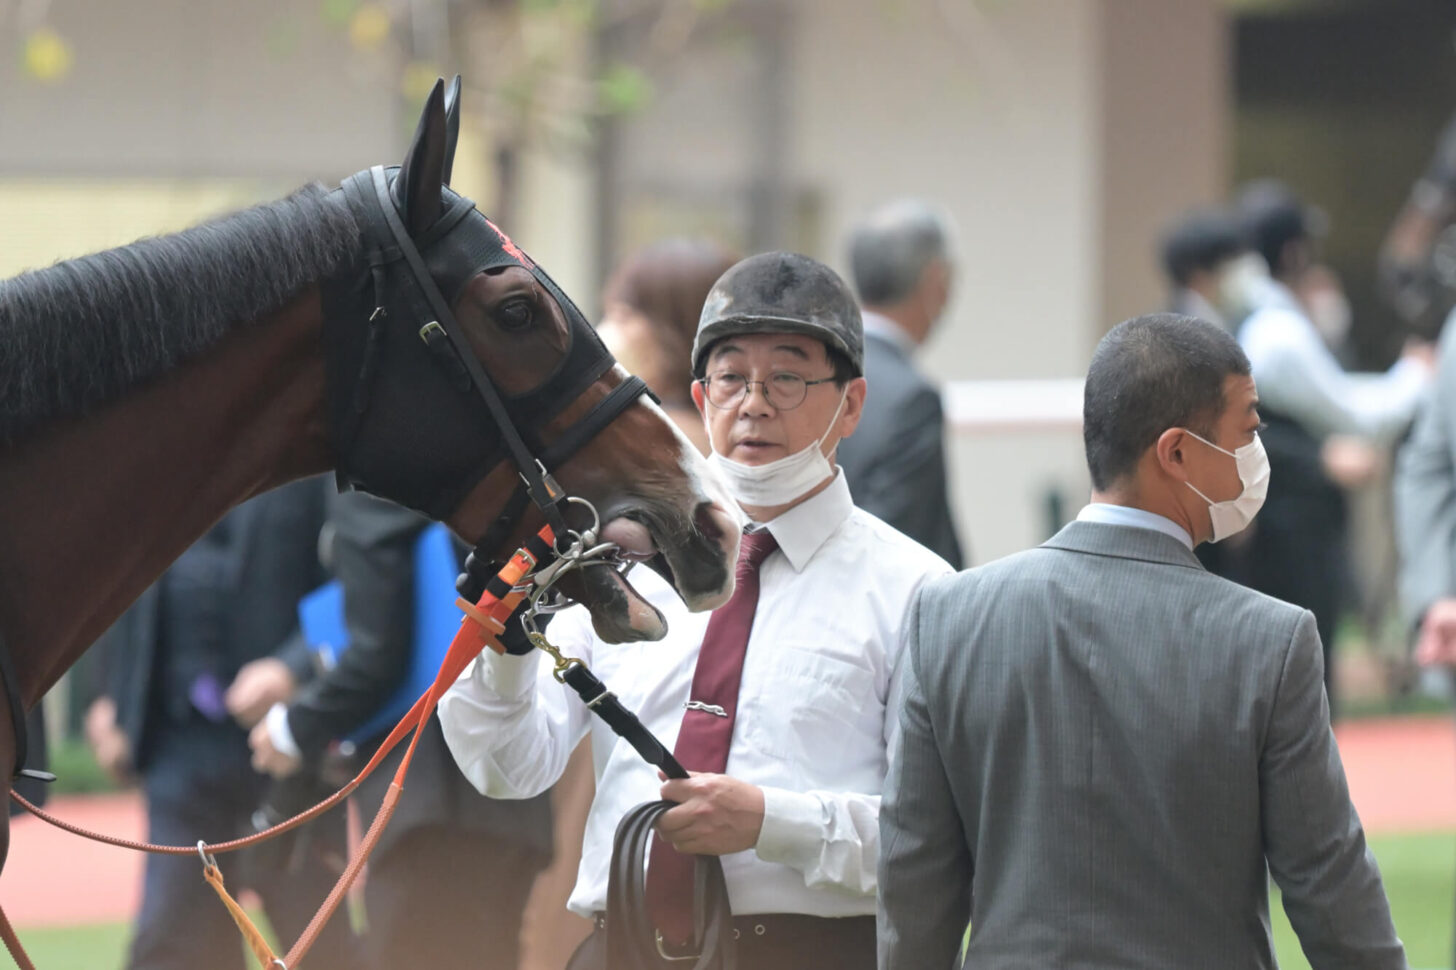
(895, 462)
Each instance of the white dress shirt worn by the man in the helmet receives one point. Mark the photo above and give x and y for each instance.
(813, 727)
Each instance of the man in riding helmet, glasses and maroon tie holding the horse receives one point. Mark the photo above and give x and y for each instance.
(778, 701)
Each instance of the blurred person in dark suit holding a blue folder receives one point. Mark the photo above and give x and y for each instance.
(451, 876)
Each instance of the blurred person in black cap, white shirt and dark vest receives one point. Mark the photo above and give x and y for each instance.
(1314, 409)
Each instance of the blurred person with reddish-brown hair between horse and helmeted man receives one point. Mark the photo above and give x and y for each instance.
(652, 308)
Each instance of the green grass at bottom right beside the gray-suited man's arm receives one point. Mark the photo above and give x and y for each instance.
(1420, 879)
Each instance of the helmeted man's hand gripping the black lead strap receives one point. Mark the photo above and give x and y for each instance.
(717, 815)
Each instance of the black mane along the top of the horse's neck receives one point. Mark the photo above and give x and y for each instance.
(84, 333)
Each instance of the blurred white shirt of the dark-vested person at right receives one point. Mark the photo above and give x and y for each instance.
(1299, 378)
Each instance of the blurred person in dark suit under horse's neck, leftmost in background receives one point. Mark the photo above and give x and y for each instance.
(183, 675)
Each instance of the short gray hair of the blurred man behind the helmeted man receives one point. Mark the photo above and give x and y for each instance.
(892, 248)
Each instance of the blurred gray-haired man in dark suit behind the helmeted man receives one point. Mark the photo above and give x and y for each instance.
(896, 462)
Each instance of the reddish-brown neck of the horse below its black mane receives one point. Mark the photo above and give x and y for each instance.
(94, 509)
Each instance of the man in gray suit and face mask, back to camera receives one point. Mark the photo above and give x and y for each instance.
(1104, 749)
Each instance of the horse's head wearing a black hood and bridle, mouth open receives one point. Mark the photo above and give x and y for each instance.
(440, 315)
